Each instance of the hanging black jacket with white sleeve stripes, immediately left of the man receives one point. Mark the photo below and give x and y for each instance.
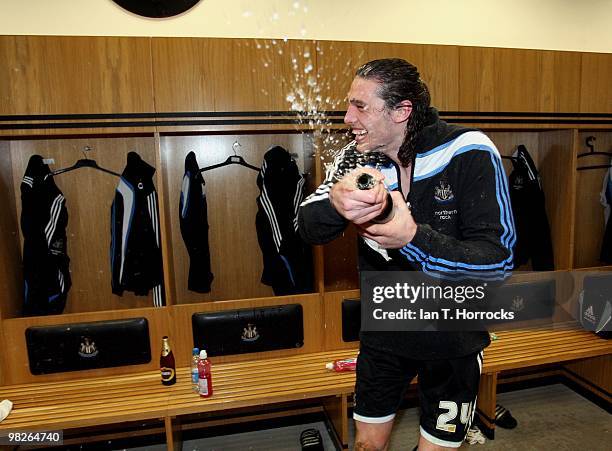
(287, 259)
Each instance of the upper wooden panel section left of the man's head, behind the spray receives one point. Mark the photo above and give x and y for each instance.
(228, 74)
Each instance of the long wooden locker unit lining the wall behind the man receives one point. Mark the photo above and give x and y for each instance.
(166, 96)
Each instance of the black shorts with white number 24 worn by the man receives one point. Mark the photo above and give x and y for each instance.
(447, 392)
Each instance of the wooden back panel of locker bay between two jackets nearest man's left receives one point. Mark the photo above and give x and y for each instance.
(236, 258)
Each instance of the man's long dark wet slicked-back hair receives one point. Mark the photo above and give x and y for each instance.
(399, 80)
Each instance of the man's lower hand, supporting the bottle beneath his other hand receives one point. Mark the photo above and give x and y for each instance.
(396, 233)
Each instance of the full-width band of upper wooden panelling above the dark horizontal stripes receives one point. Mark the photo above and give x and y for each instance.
(52, 75)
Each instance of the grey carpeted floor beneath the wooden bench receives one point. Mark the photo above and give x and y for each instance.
(549, 418)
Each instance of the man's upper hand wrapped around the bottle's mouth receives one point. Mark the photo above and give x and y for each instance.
(358, 206)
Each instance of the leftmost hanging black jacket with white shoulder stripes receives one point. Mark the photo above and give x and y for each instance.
(43, 222)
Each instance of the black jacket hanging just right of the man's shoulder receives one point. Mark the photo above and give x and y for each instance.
(533, 238)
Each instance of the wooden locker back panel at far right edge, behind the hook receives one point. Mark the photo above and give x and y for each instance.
(590, 226)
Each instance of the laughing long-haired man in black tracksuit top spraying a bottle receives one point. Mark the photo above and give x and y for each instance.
(450, 216)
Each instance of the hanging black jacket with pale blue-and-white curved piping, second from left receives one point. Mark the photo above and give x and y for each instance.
(136, 259)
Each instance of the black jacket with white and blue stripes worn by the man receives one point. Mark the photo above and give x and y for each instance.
(459, 200)
